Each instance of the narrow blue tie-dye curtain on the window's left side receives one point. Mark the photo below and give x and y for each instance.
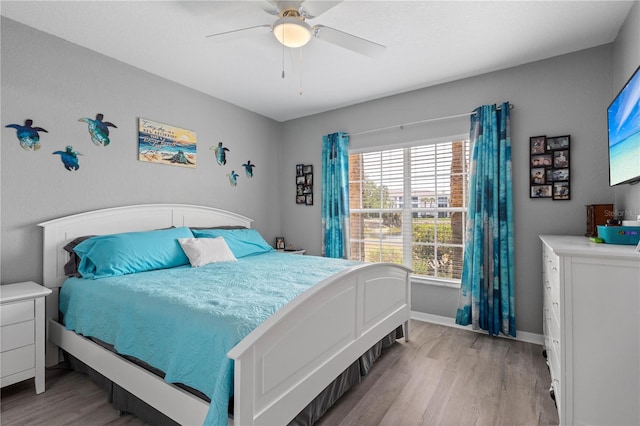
(335, 195)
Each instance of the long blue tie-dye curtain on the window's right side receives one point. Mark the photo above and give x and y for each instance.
(487, 290)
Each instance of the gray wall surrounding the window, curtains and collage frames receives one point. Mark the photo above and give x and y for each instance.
(563, 95)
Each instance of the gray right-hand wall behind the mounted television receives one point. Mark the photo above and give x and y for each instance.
(626, 58)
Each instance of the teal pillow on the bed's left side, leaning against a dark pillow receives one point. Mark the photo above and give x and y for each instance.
(130, 252)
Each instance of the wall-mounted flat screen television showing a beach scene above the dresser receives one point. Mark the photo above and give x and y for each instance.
(623, 119)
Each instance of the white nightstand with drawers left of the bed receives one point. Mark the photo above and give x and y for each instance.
(22, 335)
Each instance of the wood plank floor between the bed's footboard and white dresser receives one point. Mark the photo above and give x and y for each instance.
(450, 376)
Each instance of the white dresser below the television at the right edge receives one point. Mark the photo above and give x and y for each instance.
(592, 329)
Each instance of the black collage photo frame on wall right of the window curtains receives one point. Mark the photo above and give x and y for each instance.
(549, 167)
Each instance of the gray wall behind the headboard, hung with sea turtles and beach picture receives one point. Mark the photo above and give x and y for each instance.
(55, 83)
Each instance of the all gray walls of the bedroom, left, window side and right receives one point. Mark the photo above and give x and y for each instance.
(56, 82)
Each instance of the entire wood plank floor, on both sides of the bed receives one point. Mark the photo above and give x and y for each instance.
(443, 376)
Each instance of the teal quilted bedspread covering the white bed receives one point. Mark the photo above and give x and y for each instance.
(184, 320)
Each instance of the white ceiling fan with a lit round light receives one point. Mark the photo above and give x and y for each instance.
(292, 30)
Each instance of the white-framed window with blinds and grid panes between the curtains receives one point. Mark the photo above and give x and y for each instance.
(409, 206)
